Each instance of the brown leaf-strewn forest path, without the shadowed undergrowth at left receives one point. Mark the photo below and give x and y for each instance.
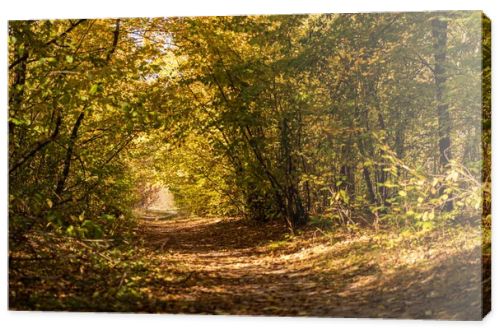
(225, 266)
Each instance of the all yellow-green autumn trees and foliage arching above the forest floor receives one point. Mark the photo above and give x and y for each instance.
(365, 119)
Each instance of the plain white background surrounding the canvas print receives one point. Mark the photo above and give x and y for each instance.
(52, 322)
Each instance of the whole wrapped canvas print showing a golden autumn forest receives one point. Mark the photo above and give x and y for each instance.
(309, 165)
